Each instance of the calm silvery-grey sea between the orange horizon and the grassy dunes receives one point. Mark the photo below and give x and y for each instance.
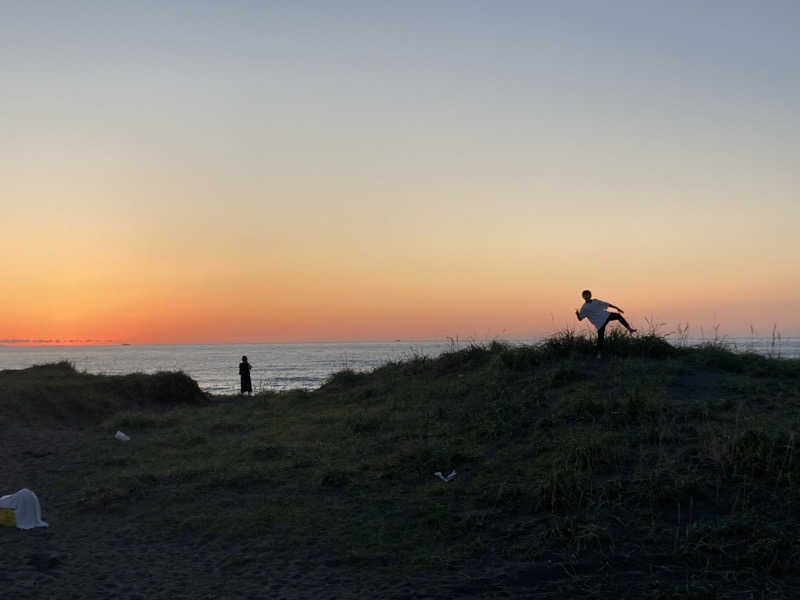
(278, 366)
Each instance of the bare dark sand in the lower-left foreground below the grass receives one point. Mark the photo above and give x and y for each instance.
(101, 555)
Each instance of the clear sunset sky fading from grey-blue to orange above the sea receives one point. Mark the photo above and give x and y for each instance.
(198, 171)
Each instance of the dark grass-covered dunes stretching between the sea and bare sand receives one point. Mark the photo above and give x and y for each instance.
(653, 471)
